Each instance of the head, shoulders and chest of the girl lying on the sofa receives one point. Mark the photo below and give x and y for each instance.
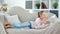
(41, 18)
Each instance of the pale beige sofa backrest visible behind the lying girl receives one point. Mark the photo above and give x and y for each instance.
(24, 15)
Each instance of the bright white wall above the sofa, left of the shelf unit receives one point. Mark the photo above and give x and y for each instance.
(12, 3)
